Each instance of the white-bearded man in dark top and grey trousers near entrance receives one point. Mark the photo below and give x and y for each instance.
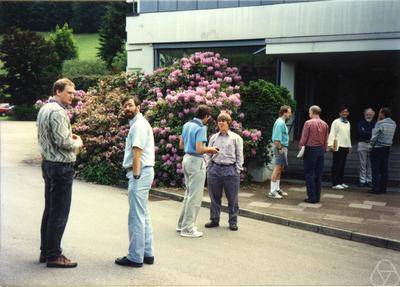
(364, 129)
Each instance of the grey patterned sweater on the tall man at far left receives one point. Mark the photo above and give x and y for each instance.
(54, 134)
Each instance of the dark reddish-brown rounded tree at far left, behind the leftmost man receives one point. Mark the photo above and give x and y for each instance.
(31, 64)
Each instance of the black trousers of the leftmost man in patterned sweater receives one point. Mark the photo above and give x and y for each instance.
(58, 179)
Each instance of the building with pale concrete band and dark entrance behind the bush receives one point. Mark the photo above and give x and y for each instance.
(328, 52)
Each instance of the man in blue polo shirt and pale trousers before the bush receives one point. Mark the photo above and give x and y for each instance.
(194, 135)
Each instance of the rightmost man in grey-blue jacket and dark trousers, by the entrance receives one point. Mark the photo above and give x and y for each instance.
(381, 141)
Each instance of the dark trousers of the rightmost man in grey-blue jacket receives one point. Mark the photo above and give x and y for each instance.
(380, 168)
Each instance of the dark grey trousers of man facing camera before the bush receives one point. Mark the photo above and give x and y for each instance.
(223, 178)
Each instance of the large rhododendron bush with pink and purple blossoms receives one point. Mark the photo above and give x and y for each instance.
(169, 99)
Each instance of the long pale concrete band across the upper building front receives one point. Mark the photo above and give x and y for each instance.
(332, 17)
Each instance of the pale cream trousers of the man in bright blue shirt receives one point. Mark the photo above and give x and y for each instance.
(194, 170)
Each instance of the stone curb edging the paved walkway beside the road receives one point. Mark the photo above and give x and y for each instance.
(321, 229)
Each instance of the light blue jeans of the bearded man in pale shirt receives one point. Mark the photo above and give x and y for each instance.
(139, 224)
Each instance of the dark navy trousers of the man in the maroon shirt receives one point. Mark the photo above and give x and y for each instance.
(313, 168)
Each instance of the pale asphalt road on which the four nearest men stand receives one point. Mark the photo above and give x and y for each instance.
(258, 254)
